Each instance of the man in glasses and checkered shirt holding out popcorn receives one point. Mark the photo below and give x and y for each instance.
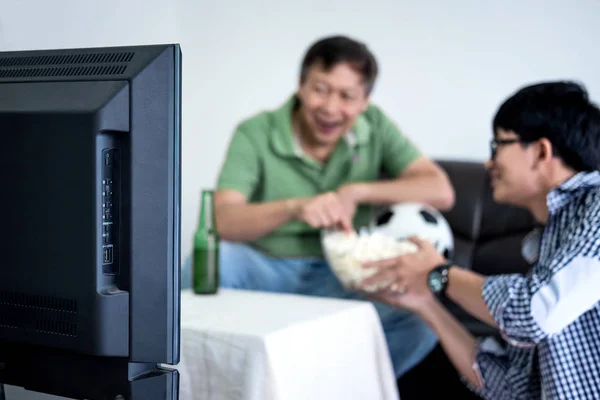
(545, 157)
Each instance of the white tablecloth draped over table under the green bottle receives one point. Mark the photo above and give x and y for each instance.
(250, 345)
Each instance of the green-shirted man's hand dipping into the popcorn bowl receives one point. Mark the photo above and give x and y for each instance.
(326, 211)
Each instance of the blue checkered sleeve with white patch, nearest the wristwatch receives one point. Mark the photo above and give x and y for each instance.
(529, 308)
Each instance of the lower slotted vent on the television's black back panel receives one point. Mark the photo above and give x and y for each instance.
(41, 314)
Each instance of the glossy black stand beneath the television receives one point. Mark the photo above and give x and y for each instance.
(77, 376)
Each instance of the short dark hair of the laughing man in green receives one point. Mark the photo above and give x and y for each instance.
(333, 50)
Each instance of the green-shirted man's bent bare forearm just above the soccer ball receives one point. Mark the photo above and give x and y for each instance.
(421, 181)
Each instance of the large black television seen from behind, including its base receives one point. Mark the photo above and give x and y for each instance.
(90, 257)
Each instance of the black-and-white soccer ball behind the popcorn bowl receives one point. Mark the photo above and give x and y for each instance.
(403, 220)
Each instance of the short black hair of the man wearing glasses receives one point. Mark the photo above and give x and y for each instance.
(561, 112)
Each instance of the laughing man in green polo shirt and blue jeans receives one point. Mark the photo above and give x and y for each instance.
(316, 163)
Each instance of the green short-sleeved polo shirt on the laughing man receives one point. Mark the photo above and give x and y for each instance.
(264, 163)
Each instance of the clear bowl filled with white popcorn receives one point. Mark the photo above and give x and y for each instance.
(347, 251)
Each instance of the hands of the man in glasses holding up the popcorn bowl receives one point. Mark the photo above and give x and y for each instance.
(407, 275)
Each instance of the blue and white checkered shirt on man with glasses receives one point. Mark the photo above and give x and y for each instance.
(550, 318)
